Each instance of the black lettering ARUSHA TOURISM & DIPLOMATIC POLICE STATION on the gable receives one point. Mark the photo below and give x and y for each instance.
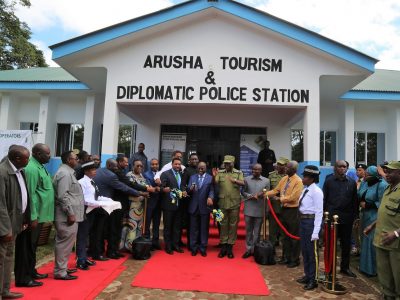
(209, 90)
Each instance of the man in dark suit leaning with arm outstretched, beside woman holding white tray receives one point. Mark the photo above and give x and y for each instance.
(108, 182)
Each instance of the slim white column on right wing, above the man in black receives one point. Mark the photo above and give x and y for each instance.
(348, 121)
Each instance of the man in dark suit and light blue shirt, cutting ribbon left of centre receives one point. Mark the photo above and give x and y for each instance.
(172, 179)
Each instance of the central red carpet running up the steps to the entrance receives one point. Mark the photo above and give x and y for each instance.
(208, 274)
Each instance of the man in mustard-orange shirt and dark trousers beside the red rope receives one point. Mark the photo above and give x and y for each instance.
(289, 189)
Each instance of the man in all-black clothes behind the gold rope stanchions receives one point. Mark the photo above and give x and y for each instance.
(340, 198)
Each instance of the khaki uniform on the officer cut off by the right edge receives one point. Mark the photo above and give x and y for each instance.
(388, 256)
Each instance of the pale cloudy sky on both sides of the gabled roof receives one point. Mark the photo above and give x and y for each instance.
(369, 26)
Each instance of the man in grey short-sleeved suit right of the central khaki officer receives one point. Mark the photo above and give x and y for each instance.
(254, 206)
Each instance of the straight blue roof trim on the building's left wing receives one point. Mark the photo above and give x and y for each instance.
(43, 86)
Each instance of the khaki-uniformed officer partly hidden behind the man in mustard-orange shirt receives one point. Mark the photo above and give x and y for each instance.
(274, 178)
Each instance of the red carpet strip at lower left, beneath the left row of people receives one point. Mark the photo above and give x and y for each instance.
(87, 286)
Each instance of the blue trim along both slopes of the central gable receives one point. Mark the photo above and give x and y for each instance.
(237, 9)
